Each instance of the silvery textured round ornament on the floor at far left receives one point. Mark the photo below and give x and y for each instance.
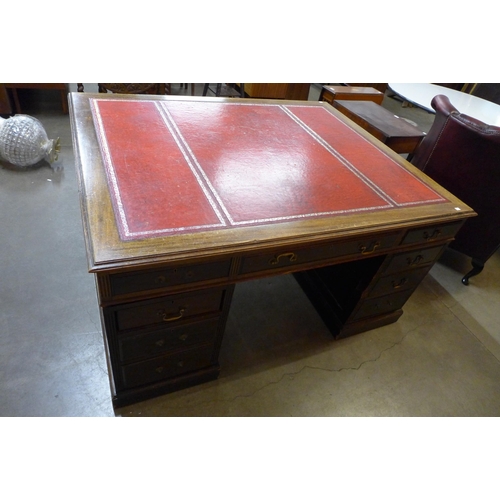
(24, 142)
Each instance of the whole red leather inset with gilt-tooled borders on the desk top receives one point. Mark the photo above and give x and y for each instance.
(184, 166)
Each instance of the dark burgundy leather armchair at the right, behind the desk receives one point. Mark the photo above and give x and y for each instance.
(463, 155)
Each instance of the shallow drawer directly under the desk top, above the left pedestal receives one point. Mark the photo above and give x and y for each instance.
(138, 281)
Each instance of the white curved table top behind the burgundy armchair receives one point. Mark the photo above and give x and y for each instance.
(421, 94)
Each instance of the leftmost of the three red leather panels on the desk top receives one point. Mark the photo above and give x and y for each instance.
(150, 185)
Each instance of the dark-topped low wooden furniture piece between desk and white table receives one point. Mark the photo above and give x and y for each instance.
(397, 133)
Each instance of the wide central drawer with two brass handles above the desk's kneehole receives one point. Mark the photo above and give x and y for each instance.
(295, 257)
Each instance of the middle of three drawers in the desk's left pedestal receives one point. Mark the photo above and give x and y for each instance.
(150, 345)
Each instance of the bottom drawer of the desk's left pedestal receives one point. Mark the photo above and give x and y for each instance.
(161, 368)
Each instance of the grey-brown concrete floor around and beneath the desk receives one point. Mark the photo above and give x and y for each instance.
(442, 358)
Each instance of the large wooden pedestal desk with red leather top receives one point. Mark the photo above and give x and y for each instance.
(183, 197)
